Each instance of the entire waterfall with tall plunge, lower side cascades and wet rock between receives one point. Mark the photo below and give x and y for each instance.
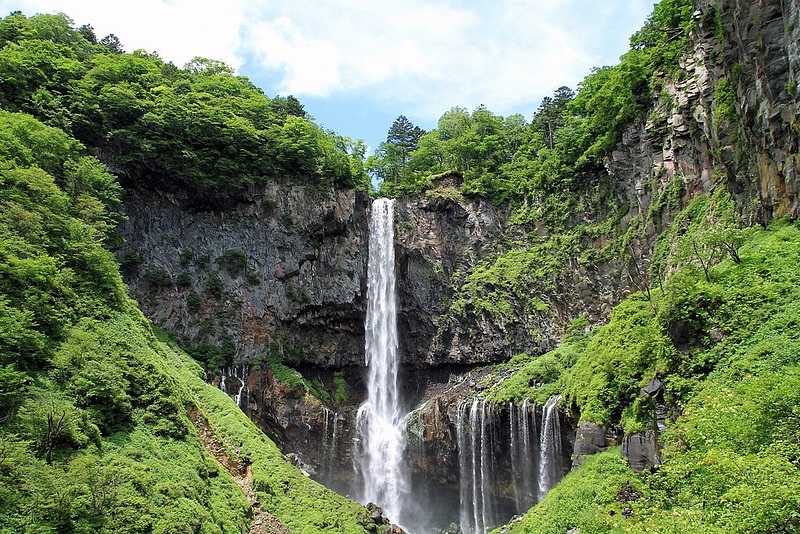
(455, 463)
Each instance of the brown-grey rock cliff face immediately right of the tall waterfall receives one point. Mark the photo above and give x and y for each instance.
(441, 238)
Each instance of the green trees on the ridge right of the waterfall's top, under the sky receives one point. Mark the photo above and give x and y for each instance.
(543, 163)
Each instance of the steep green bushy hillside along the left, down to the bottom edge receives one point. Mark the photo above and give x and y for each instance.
(95, 433)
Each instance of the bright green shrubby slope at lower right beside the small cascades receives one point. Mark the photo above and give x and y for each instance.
(723, 338)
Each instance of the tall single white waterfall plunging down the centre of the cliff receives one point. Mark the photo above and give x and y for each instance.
(380, 441)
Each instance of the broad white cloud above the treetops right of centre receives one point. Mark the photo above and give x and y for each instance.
(430, 56)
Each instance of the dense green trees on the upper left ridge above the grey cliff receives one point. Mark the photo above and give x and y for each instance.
(199, 129)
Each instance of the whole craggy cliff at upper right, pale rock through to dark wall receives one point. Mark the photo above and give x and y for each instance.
(744, 53)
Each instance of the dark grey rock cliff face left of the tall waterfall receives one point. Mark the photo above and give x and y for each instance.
(287, 267)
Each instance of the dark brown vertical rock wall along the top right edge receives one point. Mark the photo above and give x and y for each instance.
(760, 55)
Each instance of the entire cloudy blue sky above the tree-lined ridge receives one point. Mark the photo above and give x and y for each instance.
(358, 64)
